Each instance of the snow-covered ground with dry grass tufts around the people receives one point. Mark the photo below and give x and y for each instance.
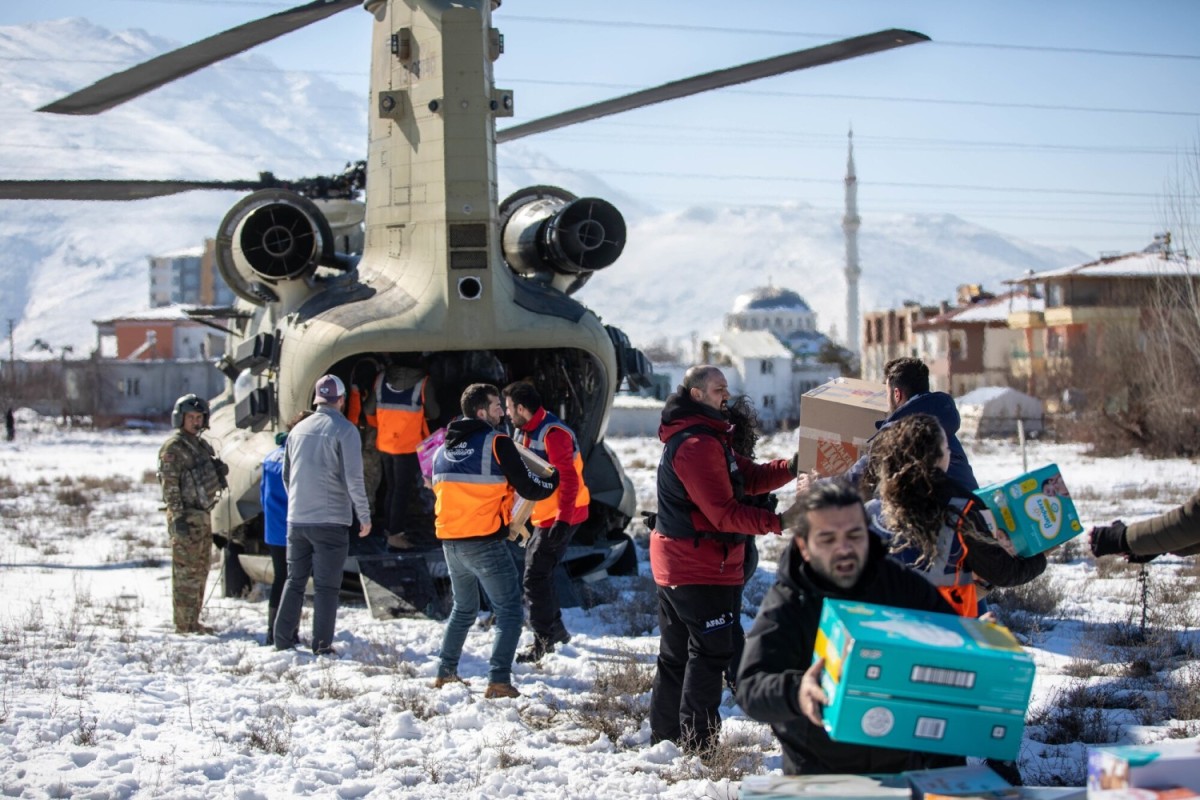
(100, 699)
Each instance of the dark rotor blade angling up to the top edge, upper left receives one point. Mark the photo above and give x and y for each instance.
(146, 77)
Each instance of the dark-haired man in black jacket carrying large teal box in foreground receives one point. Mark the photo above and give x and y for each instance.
(833, 556)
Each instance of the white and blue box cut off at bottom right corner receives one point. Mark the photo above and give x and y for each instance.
(1162, 766)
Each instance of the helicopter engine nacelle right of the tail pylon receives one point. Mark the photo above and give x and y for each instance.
(556, 238)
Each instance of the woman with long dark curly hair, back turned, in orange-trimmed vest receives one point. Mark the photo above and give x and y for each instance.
(932, 524)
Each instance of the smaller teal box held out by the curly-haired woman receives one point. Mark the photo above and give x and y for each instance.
(1034, 510)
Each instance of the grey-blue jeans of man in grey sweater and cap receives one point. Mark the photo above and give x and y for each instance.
(317, 551)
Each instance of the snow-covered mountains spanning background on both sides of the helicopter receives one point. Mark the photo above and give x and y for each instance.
(68, 264)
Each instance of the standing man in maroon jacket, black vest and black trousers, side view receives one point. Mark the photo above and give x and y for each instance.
(697, 554)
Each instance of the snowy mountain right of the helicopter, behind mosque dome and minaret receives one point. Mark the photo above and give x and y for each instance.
(685, 269)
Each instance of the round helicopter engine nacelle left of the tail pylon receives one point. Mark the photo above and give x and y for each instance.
(271, 243)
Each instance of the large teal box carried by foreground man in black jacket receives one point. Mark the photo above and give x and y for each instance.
(917, 681)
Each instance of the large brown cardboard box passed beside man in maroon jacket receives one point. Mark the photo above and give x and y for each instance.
(837, 419)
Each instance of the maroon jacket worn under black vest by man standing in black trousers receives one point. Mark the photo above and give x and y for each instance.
(703, 468)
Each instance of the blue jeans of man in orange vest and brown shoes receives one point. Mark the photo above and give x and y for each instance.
(473, 564)
